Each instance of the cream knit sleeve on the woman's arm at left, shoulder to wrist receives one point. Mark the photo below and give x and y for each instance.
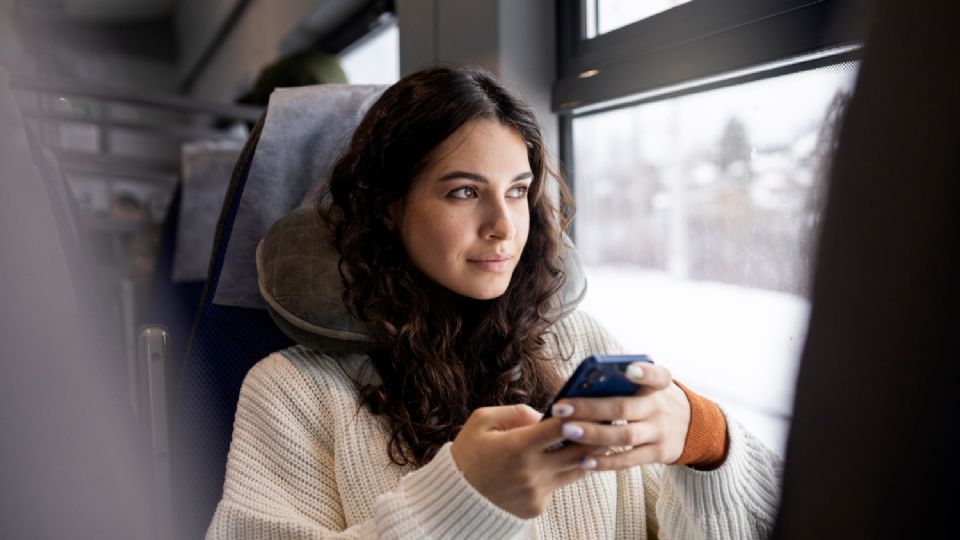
(281, 479)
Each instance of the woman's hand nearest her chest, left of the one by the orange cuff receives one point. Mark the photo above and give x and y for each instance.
(502, 453)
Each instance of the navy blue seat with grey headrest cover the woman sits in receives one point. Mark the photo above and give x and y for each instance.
(292, 147)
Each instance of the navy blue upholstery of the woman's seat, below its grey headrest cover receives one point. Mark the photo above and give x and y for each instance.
(225, 342)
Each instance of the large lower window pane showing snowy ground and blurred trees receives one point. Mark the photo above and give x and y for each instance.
(695, 221)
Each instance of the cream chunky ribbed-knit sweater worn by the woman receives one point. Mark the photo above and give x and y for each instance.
(307, 462)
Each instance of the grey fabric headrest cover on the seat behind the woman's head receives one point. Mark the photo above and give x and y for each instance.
(303, 134)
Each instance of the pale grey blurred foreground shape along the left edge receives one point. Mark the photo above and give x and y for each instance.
(71, 459)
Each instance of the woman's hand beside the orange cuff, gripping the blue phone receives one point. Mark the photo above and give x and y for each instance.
(657, 419)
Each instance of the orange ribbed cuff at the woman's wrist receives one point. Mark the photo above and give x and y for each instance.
(706, 444)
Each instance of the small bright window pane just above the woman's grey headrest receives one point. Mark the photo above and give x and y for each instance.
(374, 59)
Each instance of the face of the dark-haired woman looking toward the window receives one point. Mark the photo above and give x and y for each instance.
(465, 221)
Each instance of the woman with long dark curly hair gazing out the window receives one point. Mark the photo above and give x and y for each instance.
(451, 247)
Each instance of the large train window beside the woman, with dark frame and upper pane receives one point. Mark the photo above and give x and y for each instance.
(697, 141)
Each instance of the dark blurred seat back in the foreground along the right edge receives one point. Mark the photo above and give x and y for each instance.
(872, 450)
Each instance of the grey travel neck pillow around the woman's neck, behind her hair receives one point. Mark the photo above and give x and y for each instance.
(299, 279)
